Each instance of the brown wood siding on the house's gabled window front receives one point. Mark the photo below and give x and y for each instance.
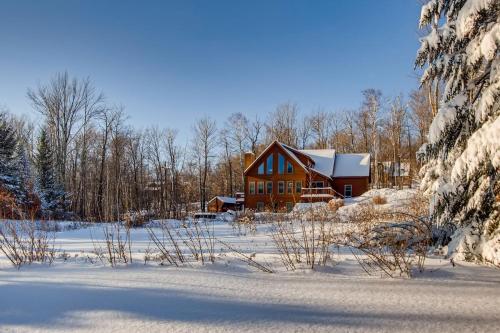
(279, 200)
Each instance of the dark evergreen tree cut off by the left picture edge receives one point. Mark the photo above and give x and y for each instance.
(9, 180)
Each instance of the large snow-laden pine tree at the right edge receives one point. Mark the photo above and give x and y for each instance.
(462, 155)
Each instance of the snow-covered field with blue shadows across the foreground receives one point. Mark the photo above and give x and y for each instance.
(82, 295)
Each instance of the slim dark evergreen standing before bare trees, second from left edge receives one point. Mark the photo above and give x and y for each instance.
(51, 194)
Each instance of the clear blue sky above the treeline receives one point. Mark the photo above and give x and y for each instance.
(169, 62)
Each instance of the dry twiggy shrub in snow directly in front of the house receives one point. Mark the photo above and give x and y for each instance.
(304, 237)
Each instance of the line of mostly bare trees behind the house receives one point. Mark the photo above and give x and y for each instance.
(84, 161)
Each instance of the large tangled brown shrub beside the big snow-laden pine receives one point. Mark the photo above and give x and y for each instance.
(389, 241)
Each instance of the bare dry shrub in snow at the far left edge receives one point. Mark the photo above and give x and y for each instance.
(25, 242)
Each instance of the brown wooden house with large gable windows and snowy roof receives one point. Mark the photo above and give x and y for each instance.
(282, 176)
